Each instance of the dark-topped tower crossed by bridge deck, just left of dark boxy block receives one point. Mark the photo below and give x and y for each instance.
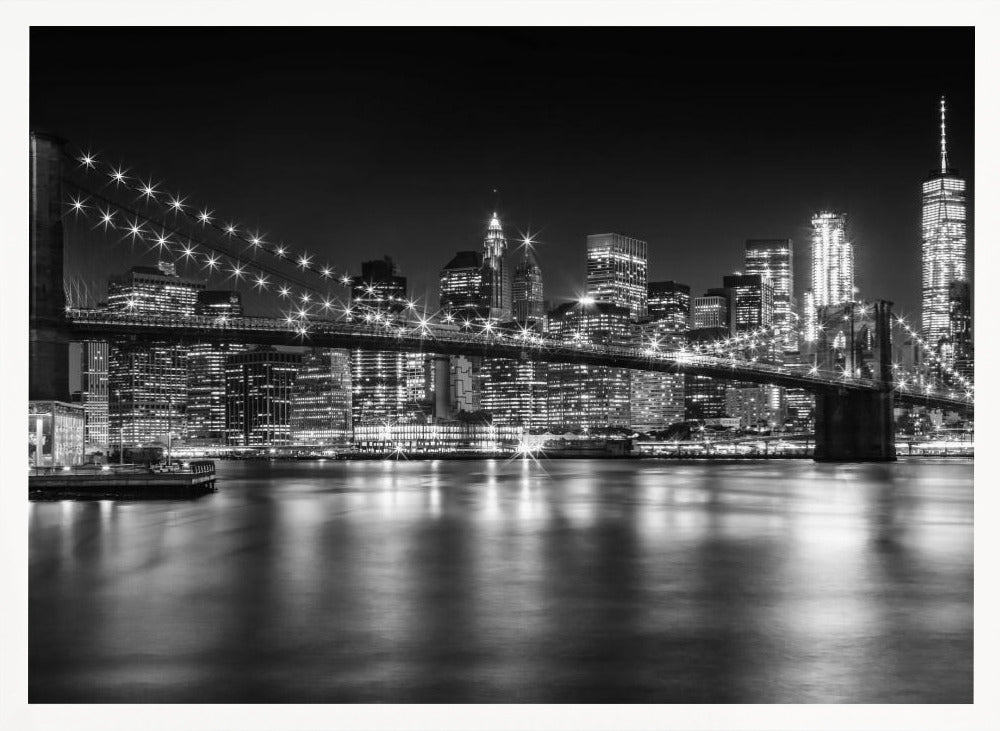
(206, 386)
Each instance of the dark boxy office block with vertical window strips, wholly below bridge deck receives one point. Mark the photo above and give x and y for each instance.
(259, 397)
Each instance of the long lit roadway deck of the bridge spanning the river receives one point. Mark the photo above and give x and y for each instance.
(450, 340)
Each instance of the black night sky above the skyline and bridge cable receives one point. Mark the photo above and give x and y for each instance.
(353, 143)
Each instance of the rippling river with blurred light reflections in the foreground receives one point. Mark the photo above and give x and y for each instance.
(491, 581)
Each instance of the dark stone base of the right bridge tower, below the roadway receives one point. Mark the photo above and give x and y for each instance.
(854, 427)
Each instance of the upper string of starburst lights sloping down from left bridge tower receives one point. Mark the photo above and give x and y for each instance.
(149, 192)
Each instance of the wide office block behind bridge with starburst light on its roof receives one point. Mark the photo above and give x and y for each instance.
(585, 396)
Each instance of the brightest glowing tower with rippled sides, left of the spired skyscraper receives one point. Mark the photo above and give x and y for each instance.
(832, 266)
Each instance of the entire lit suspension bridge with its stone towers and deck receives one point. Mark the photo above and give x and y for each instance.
(854, 414)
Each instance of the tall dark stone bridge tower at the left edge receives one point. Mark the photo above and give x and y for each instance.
(48, 366)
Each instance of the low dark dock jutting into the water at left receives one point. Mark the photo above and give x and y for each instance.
(133, 482)
